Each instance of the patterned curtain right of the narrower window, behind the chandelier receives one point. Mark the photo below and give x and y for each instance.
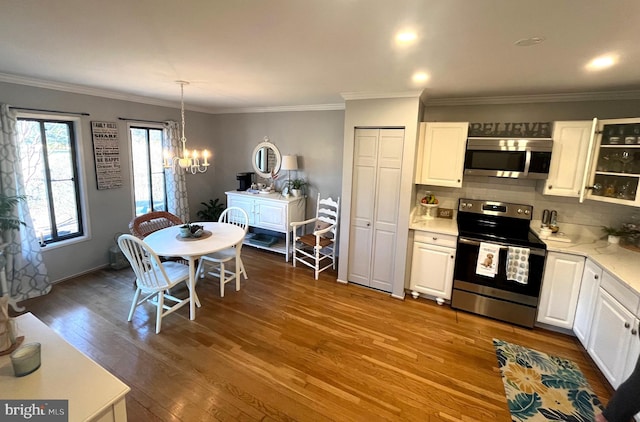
(175, 179)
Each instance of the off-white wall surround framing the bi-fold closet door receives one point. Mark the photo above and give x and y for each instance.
(394, 112)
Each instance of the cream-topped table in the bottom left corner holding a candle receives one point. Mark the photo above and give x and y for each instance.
(65, 373)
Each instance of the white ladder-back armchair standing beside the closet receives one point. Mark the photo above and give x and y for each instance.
(318, 249)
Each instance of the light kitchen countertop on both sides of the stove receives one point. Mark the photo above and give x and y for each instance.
(622, 263)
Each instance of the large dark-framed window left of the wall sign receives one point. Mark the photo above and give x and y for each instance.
(47, 149)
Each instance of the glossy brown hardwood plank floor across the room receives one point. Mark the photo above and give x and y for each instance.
(287, 347)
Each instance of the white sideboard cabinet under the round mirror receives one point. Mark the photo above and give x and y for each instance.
(272, 212)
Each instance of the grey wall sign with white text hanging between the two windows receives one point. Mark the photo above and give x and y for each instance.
(106, 152)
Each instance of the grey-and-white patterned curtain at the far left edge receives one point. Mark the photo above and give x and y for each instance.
(26, 273)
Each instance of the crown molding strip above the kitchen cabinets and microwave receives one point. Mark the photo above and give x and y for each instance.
(536, 98)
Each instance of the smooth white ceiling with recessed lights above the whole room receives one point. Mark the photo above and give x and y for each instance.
(251, 55)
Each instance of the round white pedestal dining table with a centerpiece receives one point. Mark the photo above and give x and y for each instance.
(166, 242)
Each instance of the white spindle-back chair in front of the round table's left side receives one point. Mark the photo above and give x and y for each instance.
(154, 278)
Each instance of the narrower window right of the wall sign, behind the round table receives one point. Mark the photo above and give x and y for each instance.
(148, 172)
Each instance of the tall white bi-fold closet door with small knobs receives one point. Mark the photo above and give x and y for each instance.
(377, 168)
